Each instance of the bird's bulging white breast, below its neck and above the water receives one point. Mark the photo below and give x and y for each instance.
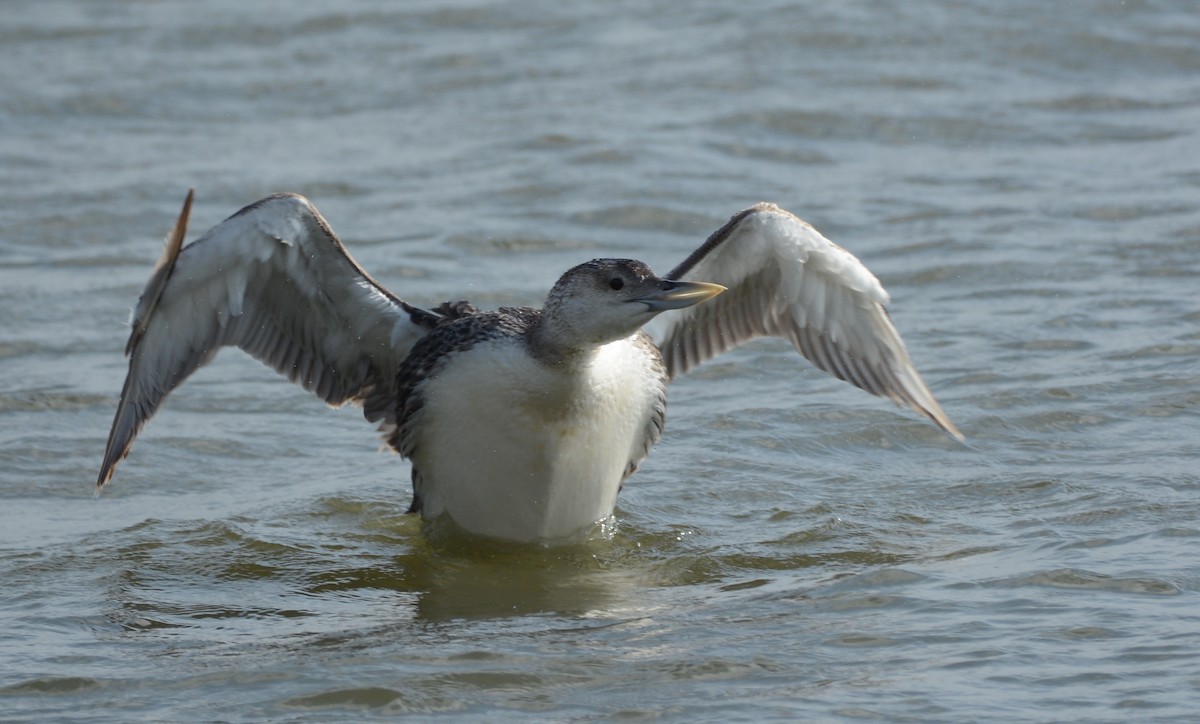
(515, 450)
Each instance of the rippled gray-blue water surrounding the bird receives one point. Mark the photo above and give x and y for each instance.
(1024, 177)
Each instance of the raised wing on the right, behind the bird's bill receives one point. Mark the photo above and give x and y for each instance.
(787, 280)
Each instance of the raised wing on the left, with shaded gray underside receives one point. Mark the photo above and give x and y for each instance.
(275, 282)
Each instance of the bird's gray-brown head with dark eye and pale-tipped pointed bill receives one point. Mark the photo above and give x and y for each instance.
(604, 301)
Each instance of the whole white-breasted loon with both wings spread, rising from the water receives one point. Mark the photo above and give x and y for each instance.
(521, 424)
